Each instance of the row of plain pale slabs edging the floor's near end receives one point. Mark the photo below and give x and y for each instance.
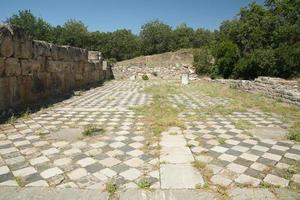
(44, 193)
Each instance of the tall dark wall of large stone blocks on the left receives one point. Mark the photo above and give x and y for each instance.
(31, 70)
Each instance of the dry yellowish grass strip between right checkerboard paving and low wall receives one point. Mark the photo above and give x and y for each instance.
(241, 101)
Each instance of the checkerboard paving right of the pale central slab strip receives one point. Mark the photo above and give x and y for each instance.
(241, 159)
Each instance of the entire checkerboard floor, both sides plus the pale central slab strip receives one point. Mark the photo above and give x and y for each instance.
(28, 152)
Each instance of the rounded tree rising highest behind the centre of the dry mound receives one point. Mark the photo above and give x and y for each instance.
(156, 37)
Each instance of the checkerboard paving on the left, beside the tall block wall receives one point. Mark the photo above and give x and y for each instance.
(29, 153)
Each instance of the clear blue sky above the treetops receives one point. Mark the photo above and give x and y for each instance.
(109, 15)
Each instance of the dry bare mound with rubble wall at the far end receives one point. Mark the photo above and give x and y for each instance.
(168, 65)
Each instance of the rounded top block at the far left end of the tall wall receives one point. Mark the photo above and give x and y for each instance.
(6, 42)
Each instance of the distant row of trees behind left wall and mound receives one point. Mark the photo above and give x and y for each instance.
(122, 44)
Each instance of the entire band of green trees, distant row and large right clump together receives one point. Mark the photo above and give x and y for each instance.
(263, 40)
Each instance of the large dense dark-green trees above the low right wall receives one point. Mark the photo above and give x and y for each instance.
(263, 41)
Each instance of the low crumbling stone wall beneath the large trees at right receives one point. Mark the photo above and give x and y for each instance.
(284, 90)
